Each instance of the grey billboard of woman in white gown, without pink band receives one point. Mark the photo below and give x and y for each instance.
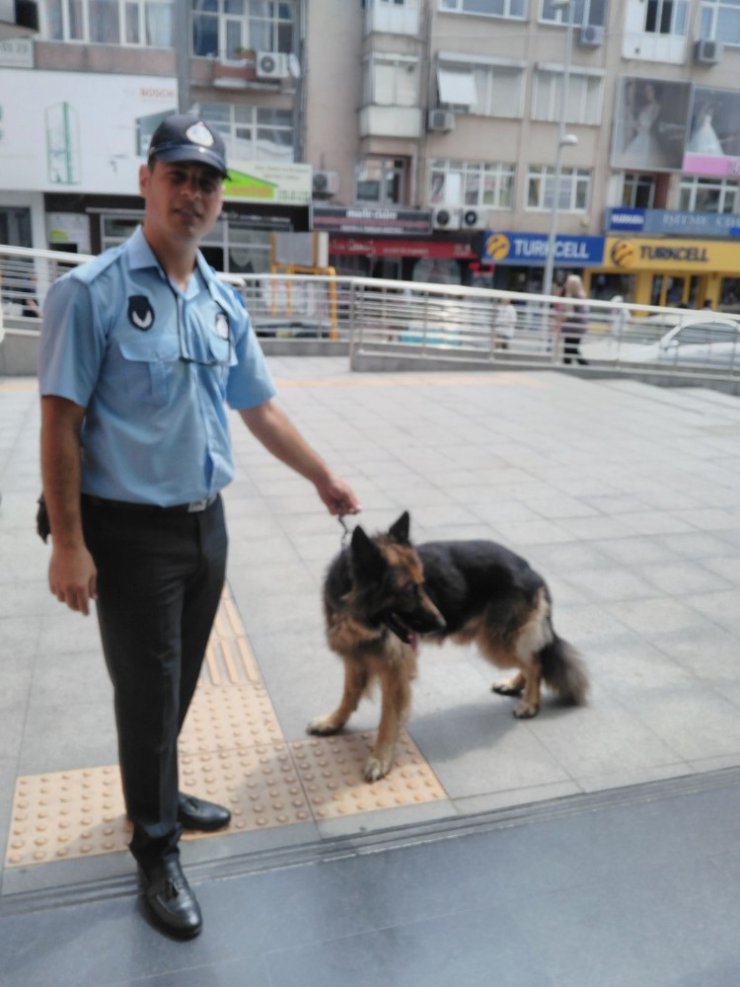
(650, 124)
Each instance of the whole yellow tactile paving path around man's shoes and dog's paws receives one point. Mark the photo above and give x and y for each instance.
(231, 751)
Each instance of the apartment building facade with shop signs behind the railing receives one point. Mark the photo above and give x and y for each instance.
(430, 139)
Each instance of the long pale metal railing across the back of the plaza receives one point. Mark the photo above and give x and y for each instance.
(402, 325)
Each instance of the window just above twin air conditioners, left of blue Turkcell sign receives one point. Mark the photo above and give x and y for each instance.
(471, 183)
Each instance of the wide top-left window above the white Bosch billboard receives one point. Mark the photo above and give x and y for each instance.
(142, 23)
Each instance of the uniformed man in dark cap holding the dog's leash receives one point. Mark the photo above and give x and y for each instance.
(141, 350)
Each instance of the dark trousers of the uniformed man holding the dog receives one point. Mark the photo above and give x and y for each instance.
(160, 579)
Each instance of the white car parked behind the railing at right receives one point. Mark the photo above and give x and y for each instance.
(700, 339)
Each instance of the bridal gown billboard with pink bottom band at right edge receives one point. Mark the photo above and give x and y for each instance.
(713, 143)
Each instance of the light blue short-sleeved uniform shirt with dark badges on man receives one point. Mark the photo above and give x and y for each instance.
(154, 367)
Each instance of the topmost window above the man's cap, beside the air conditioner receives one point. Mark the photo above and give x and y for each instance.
(225, 28)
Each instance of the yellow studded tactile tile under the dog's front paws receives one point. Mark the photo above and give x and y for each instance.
(331, 771)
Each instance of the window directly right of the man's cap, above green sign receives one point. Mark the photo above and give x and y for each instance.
(252, 133)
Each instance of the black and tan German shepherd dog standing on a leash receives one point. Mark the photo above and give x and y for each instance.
(382, 593)
